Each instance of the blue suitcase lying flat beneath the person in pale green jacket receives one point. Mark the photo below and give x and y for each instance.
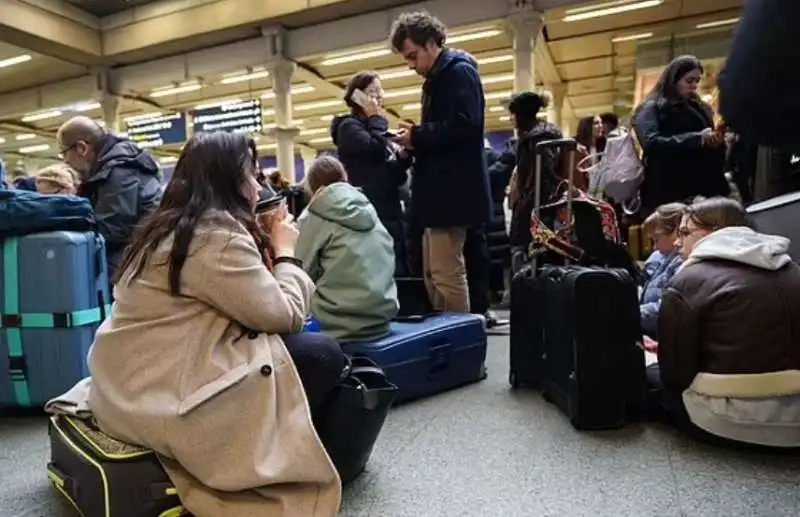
(429, 356)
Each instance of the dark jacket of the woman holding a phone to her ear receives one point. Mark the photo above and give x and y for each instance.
(364, 151)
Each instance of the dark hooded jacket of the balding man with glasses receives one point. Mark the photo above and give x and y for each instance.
(124, 186)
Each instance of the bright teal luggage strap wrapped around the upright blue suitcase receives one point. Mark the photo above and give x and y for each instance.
(12, 321)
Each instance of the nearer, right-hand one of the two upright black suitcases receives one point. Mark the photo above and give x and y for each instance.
(593, 364)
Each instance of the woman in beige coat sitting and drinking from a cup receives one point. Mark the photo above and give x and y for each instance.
(201, 359)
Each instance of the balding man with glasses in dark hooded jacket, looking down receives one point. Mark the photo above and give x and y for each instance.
(120, 179)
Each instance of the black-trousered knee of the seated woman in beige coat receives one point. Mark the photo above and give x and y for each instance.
(320, 362)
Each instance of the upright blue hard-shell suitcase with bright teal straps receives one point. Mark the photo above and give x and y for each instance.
(55, 292)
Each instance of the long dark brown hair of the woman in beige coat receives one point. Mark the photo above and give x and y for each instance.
(210, 174)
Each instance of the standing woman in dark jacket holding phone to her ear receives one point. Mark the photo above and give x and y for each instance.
(372, 161)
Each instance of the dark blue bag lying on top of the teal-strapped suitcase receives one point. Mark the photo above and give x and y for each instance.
(23, 213)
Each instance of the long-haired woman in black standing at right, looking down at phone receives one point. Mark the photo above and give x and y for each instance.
(684, 154)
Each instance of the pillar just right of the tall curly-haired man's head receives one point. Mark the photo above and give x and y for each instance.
(524, 25)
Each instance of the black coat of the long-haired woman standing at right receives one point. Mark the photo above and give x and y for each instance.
(677, 166)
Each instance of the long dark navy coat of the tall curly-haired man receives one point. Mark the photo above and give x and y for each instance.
(449, 186)
